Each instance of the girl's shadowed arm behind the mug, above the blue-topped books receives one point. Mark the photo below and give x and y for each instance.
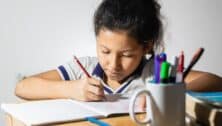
(203, 81)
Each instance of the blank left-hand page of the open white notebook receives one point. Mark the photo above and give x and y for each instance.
(47, 111)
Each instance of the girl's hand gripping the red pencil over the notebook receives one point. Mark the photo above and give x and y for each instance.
(89, 89)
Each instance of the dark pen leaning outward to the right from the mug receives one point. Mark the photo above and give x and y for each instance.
(194, 60)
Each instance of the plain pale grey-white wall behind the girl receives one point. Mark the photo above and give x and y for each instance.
(38, 35)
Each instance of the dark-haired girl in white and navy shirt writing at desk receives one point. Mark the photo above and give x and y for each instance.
(126, 32)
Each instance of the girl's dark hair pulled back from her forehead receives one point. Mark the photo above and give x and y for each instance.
(140, 18)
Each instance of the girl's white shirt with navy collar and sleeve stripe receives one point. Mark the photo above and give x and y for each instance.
(138, 79)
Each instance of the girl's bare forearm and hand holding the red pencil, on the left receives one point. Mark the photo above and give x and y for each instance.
(49, 85)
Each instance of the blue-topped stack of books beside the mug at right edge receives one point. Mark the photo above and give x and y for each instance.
(205, 107)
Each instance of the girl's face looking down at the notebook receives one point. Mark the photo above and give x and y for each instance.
(119, 55)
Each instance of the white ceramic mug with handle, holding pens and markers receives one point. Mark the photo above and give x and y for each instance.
(165, 104)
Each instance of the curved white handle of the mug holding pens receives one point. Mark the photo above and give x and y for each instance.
(147, 120)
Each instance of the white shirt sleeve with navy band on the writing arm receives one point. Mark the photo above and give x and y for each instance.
(71, 70)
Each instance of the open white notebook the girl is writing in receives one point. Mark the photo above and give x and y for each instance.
(63, 110)
